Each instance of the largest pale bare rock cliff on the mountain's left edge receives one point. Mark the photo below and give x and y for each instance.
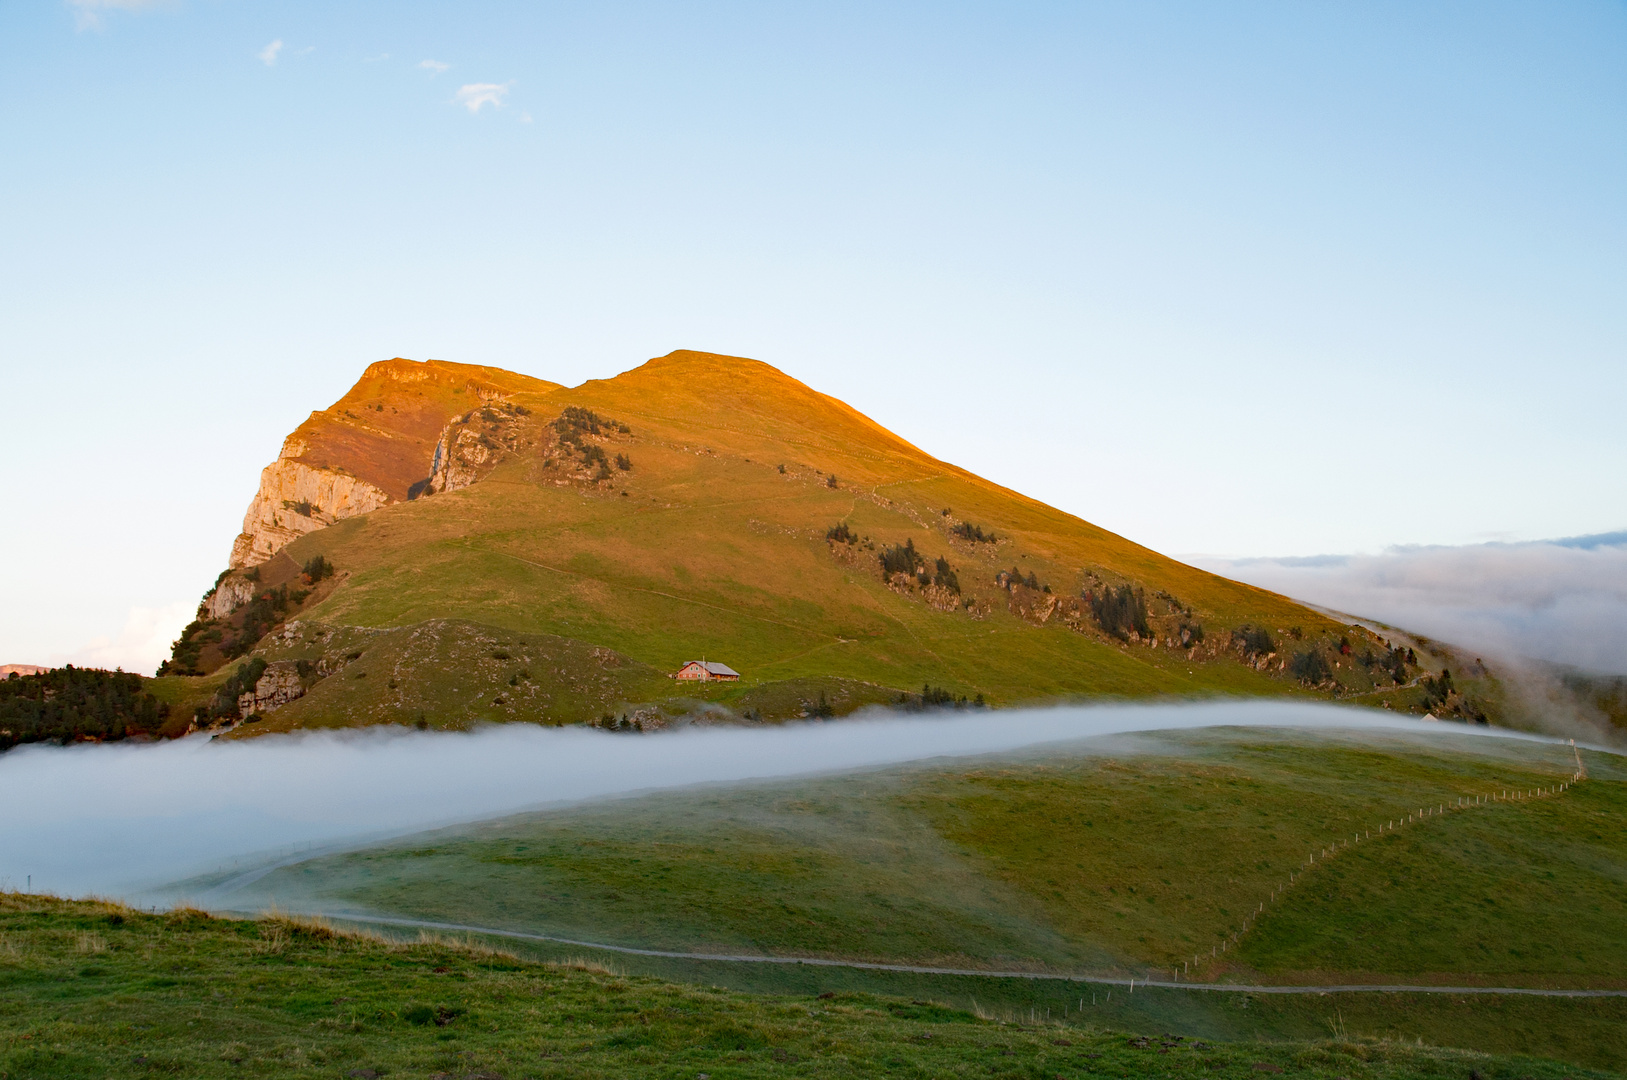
(294, 500)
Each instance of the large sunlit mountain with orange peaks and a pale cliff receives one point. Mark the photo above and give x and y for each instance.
(453, 544)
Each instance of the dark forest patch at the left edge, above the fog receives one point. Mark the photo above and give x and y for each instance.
(72, 703)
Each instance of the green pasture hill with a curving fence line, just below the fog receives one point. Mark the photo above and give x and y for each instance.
(1112, 860)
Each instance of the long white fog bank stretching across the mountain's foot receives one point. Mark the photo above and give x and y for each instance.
(121, 819)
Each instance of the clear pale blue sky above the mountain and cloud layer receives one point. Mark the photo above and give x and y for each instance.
(1242, 281)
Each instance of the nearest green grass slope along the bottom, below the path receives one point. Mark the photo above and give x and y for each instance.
(94, 990)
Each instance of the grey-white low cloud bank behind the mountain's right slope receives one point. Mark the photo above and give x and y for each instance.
(1559, 601)
